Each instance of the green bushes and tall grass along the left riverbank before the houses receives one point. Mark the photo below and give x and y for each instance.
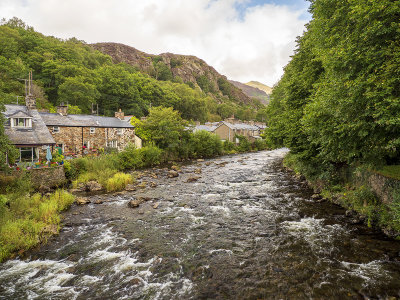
(28, 218)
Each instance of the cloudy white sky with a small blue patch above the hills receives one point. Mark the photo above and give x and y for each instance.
(242, 39)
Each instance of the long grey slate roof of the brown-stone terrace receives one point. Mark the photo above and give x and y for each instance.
(55, 119)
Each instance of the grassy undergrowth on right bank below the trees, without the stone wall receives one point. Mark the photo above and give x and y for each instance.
(343, 187)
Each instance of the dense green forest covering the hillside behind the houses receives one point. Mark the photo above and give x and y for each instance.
(70, 71)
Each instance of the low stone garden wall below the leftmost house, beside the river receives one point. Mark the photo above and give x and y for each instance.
(48, 177)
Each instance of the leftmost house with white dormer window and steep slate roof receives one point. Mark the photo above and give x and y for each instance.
(27, 131)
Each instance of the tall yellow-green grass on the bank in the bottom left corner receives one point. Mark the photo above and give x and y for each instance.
(26, 221)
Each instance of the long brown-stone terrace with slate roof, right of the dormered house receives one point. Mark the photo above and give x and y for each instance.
(77, 135)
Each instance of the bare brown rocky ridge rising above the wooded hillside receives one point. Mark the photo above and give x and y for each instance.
(180, 68)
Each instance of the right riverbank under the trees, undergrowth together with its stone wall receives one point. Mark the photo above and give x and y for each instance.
(367, 195)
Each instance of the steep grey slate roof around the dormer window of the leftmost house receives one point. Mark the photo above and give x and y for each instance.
(37, 135)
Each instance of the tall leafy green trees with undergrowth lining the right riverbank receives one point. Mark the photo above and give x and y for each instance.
(337, 105)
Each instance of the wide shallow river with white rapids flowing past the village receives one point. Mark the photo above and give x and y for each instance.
(244, 230)
